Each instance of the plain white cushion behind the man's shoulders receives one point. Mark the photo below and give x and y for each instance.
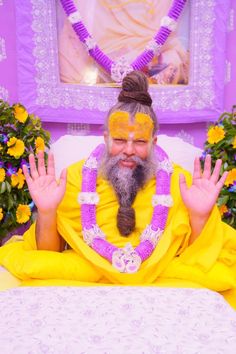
(71, 148)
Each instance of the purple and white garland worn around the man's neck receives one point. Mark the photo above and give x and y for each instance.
(127, 259)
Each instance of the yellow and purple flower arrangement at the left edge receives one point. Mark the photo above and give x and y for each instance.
(21, 133)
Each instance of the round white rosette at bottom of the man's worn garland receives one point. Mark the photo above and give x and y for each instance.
(126, 260)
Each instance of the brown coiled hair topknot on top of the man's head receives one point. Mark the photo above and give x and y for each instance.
(135, 88)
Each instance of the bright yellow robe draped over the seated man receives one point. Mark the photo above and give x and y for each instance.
(209, 262)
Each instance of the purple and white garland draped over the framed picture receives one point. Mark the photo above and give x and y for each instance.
(120, 68)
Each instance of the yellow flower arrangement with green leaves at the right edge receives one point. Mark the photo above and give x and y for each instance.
(221, 144)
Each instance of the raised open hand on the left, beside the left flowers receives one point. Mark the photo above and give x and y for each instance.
(45, 190)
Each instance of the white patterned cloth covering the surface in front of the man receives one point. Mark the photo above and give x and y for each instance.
(122, 320)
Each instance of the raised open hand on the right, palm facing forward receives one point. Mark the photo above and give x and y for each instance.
(202, 195)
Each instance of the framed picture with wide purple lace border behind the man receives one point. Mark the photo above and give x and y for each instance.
(59, 82)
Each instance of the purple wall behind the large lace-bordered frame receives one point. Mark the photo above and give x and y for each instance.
(194, 132)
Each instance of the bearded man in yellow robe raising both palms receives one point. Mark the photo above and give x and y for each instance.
(126, 215)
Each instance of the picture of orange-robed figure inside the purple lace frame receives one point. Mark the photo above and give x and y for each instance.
(123, 29)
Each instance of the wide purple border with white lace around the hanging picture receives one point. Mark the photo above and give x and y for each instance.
(42, 92)
